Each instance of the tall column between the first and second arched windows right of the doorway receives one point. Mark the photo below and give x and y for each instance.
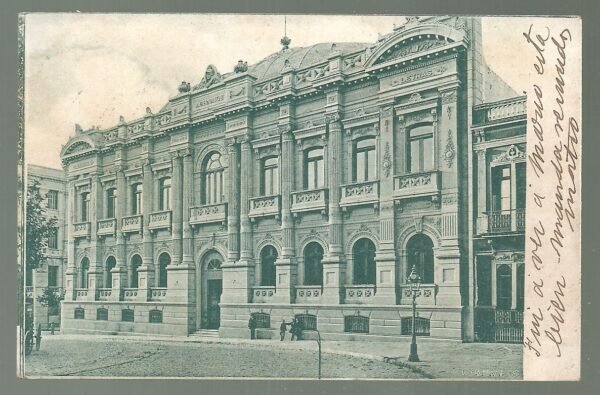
(285, 266)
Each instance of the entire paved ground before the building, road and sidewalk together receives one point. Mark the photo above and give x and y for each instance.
(158, 356)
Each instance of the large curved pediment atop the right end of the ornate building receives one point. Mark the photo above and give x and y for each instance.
(423, 38)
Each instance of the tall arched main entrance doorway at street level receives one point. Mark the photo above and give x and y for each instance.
(210, 290)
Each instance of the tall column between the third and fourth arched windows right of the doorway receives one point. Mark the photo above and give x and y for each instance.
(385, 257)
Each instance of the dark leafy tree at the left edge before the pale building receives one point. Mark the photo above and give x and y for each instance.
(39, 227)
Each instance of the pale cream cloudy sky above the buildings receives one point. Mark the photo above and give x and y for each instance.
(91, 68)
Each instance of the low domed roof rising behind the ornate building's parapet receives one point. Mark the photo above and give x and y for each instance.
(272, 65)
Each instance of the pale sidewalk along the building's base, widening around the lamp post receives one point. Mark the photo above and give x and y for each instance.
(440, 359)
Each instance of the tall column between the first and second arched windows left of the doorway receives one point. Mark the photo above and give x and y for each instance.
(146, 270)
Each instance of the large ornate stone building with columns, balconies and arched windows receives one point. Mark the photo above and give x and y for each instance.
(307, 185)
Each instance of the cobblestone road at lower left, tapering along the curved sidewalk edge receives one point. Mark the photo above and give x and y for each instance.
(136, 358)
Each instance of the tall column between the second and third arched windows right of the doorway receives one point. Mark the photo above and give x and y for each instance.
(333, 262)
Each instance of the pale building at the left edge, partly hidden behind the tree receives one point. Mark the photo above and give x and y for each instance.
(50, 274)
